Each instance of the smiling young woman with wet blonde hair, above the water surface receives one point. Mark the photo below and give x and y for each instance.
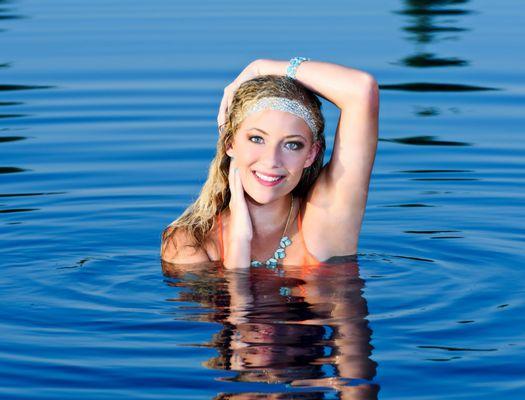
(268, 199)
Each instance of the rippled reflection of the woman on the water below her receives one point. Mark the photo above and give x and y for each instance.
(296, 326)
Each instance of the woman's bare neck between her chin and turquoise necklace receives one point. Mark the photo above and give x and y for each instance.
(271, 217)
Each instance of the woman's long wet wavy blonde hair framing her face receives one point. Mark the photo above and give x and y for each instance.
(197, 220)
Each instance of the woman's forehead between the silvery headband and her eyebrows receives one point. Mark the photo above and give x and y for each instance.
(276, 122)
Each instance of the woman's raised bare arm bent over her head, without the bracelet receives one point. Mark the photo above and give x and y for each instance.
(346, 177)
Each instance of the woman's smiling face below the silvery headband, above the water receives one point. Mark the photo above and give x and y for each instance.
(271, 148)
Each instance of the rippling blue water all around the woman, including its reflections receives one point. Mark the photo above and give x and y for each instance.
(107, 126)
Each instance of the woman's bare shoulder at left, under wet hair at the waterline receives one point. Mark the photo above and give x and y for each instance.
(177, 247)
